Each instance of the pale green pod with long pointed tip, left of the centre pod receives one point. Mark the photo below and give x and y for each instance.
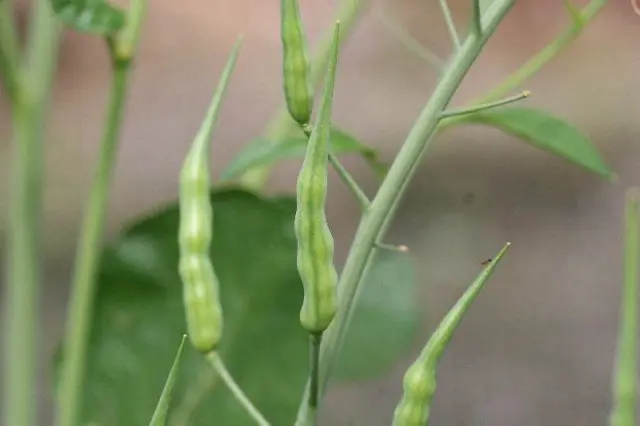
(199, 282)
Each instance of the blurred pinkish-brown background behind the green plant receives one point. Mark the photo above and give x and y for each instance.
(538, 346)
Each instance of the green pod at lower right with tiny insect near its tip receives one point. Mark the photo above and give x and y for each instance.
(419, 384)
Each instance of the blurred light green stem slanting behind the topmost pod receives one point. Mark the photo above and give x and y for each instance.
(282, 125)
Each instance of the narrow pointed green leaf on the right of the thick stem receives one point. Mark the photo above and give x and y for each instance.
(546, 132)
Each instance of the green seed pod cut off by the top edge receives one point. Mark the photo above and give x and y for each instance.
(298, 88)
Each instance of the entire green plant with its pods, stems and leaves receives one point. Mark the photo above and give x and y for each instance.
(153, 276)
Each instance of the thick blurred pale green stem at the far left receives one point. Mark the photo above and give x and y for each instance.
(23, 257)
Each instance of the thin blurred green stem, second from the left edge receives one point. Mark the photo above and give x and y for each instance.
(87, 255)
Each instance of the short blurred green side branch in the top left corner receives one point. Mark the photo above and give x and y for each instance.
(9, 52)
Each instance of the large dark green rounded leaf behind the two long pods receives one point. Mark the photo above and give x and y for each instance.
(138, 315)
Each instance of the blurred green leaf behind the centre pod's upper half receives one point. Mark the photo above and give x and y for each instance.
(262, 153)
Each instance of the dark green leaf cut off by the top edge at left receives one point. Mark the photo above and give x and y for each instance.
(90, 16)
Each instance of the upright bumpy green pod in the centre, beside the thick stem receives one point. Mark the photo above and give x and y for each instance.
(315, 243)
